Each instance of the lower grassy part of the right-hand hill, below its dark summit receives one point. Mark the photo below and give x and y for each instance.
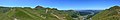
(107, 15)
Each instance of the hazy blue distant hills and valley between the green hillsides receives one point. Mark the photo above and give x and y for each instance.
(88, 12)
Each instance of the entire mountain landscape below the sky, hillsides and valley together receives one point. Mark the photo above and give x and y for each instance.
(41, 13)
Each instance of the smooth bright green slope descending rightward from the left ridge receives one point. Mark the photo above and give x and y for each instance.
(24, 15)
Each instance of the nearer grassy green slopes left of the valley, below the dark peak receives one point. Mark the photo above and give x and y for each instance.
(32, 14)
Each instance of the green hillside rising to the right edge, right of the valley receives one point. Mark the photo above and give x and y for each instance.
(112, 13)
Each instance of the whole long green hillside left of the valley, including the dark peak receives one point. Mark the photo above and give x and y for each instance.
(37, 13)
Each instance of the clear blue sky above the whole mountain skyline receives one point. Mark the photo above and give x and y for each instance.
(63, 4)
